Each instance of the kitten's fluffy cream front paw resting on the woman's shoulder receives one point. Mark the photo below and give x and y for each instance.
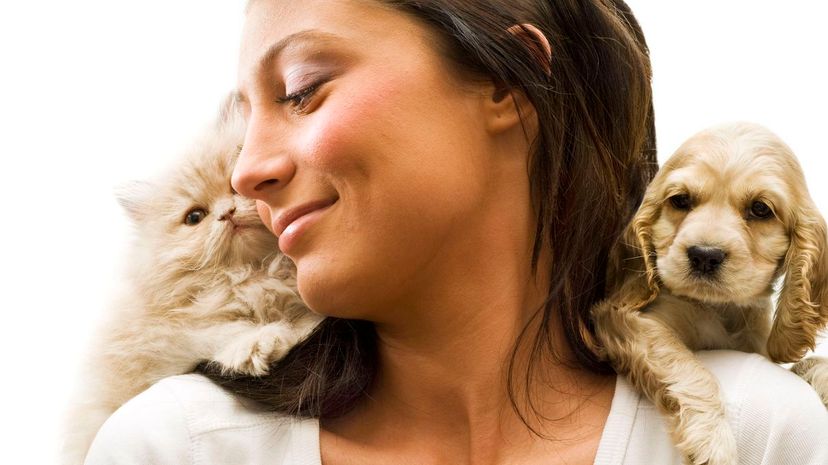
(253, 352)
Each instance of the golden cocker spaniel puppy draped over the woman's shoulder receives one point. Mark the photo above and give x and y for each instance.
(725, 217)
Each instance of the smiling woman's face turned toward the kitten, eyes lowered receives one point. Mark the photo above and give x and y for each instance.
(349, 102)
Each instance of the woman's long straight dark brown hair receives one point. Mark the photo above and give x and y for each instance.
(590, 164)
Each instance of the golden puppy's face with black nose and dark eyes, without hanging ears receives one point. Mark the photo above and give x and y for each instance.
(722, 210)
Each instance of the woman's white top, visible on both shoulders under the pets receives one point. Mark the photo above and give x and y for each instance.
(187, 420)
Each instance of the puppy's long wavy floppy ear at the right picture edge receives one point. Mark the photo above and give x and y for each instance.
(802, 309)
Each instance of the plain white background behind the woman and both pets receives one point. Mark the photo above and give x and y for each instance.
(95, 93)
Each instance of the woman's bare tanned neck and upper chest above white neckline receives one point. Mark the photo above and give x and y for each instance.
(442, 389)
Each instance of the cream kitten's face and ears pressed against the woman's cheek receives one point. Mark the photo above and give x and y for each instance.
(192, 219)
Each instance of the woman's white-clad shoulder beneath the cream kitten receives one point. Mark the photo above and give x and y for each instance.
(188, 419)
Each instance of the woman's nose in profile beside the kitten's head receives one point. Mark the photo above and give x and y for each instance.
(263, 166)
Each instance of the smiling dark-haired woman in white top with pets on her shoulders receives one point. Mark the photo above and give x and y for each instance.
(470, 165)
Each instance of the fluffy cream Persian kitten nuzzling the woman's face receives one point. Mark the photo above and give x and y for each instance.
(205, 281)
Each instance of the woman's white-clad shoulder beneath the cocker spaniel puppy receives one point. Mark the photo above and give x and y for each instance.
(776, 417)
